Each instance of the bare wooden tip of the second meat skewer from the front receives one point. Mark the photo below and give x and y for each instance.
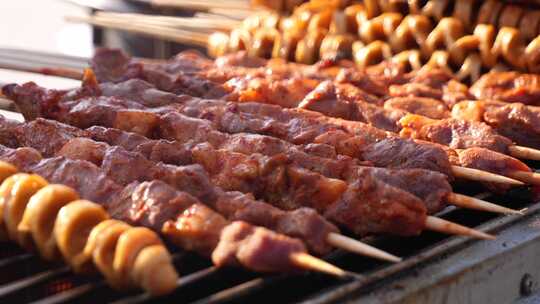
(340, 241)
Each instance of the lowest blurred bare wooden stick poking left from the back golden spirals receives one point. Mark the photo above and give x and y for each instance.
(176, 35)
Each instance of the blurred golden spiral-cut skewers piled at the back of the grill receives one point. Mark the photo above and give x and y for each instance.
(466, 37)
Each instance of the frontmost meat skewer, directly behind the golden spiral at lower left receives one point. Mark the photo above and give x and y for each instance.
(181, 218)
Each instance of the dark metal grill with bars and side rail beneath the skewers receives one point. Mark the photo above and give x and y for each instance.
(436, 268)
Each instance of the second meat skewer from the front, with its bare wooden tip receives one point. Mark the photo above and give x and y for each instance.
(124, 167)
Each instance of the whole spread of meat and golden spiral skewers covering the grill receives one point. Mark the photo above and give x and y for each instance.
(265, 163)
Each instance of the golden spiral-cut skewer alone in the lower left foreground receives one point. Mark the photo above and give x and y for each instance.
(54, 219)
